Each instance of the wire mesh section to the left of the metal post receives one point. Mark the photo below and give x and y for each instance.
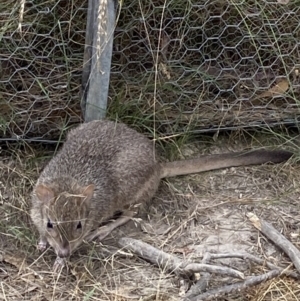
(41, 46)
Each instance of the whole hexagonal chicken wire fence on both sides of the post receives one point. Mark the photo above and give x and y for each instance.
(201, 65)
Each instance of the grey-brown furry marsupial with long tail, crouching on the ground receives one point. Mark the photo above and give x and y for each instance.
(102, 167)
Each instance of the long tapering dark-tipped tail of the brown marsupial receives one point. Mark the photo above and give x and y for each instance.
(212, 162)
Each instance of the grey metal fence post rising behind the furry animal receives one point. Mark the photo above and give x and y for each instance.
(97, 58)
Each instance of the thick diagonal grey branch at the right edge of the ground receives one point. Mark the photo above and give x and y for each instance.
(279, 240)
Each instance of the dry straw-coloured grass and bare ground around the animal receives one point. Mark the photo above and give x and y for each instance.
(189, 216)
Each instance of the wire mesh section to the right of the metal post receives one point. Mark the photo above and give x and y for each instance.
(207, 65)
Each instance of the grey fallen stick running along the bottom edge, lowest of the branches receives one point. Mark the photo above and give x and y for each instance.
(250, 281)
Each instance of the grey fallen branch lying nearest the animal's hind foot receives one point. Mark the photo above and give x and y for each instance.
(171, 262)
